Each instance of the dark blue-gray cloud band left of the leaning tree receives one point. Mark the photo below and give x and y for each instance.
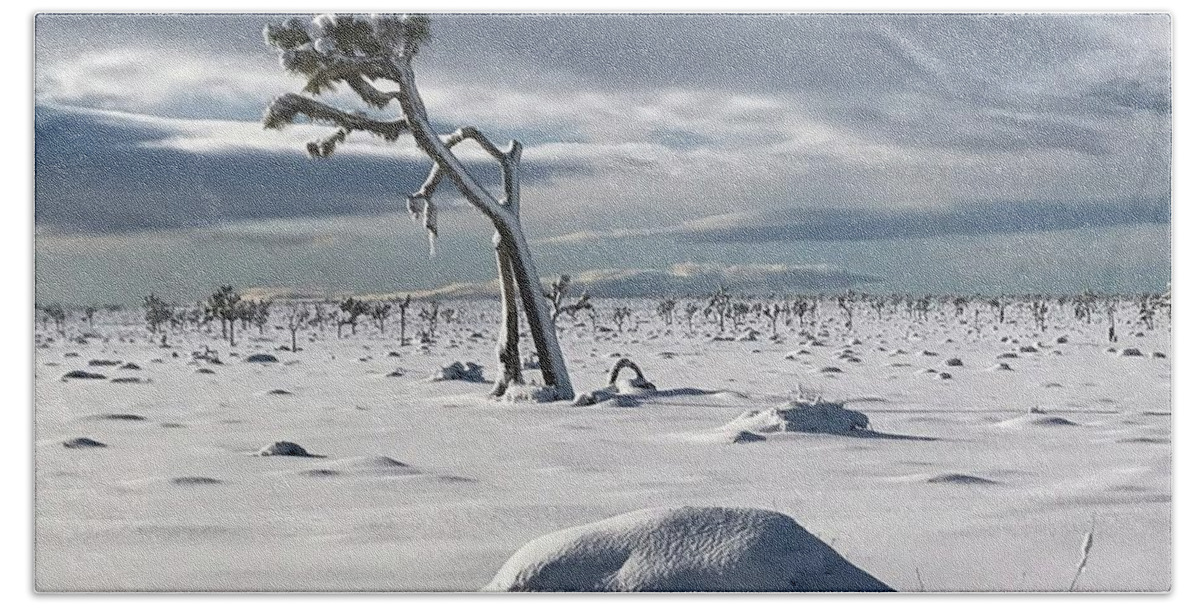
(97, 176)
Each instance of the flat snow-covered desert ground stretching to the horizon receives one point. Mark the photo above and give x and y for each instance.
(433, 486)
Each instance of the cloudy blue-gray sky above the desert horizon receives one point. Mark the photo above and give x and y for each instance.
(935, 154)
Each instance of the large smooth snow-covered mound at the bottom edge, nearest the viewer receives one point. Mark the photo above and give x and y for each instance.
(683, 550)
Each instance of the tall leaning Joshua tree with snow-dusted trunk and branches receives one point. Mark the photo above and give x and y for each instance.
(363, 52)
